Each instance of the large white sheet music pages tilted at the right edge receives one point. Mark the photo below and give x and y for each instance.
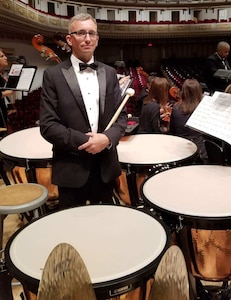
(213, 116)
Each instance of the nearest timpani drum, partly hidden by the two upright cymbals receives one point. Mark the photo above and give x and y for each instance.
(120, 246)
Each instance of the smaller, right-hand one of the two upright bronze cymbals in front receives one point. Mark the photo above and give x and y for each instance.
(171, 277)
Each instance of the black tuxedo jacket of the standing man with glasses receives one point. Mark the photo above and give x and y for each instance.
(64, 123)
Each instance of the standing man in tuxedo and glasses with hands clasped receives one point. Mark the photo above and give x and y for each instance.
(77, 103)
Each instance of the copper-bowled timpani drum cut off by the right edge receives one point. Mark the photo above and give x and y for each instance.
(195, 200)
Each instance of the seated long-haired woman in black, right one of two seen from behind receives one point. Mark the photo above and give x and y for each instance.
(191, 95)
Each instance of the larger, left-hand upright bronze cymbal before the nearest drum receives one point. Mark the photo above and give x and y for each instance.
(65, 276)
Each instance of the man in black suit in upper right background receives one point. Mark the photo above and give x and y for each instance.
(216, 61)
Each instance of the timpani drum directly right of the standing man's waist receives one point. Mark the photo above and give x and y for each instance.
(141, 155)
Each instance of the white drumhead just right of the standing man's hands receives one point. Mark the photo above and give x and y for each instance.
(141, 149)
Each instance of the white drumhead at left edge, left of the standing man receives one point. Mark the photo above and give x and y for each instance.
(27, 144)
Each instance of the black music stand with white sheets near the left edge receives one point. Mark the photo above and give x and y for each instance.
(20, 78)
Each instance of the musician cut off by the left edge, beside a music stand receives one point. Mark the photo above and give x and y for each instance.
(3, 94)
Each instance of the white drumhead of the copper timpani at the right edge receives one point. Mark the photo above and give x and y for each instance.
(198, 190)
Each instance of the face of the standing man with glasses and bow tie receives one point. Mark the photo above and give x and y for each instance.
(84, 39)
